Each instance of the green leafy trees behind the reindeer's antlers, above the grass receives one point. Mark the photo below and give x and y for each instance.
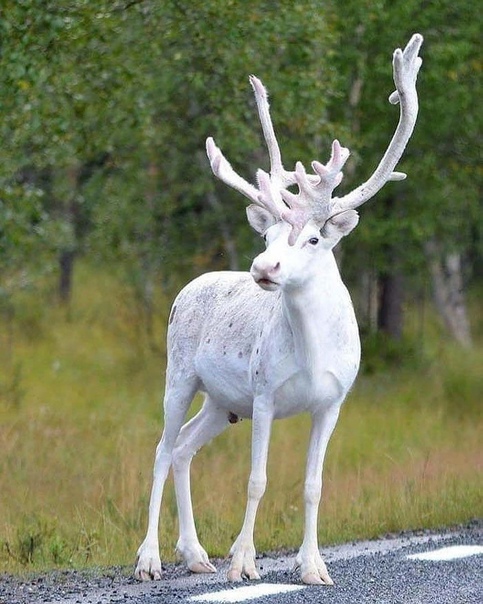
(105, 107)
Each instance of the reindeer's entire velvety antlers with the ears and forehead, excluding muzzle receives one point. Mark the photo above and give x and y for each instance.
(313, 212)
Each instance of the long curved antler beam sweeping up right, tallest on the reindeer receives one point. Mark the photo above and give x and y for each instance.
(406, 66)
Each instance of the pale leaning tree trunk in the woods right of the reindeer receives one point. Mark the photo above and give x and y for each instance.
(448, 291)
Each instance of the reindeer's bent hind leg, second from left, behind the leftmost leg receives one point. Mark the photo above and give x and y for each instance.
(208, 423)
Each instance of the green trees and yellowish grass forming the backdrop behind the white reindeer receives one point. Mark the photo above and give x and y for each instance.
(108, 206)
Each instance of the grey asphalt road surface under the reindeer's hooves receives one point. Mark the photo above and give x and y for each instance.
(375, 572)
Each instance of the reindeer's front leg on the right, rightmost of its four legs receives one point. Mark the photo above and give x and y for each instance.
(312, 568)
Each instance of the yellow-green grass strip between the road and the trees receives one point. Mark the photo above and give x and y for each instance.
(80, 416)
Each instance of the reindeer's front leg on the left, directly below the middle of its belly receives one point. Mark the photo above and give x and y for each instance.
(243, 550)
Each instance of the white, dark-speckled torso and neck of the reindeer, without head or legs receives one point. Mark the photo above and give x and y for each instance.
(241, 340)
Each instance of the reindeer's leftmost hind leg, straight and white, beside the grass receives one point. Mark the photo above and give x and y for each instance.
(176, 403)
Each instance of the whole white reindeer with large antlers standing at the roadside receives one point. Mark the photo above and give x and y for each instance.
(272, 343)
